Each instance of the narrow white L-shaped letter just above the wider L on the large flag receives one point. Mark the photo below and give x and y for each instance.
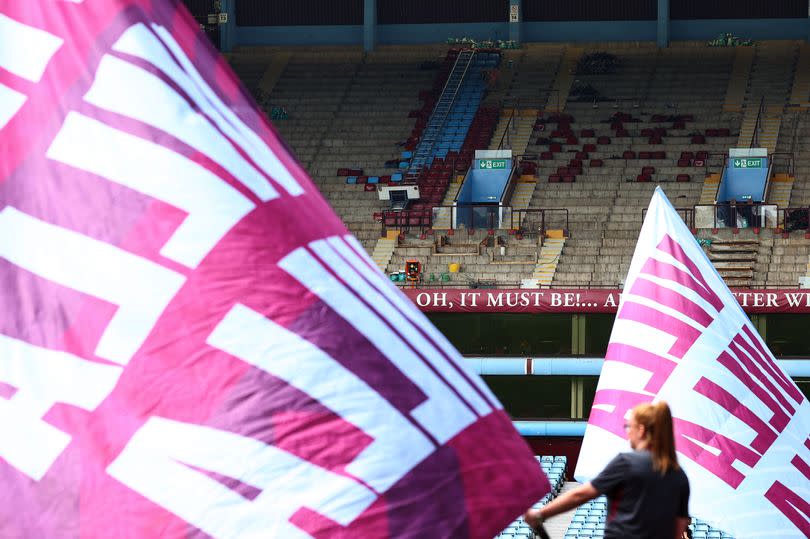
(443, 414)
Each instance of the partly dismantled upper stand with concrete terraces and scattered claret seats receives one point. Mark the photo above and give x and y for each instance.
(658, 116)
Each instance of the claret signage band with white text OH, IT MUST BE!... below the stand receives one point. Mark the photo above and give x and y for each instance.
(583, 301)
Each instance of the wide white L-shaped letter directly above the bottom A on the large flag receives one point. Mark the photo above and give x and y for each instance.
(258, 341)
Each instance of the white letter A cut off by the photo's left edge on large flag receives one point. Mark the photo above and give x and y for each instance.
(43, 378)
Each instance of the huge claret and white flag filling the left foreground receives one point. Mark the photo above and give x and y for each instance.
(191, 343)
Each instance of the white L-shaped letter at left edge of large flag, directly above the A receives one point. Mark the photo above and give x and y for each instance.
(139, 287)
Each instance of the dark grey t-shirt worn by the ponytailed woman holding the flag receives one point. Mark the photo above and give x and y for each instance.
(642, 503)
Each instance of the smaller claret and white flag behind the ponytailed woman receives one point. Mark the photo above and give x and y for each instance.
(742, 426)
